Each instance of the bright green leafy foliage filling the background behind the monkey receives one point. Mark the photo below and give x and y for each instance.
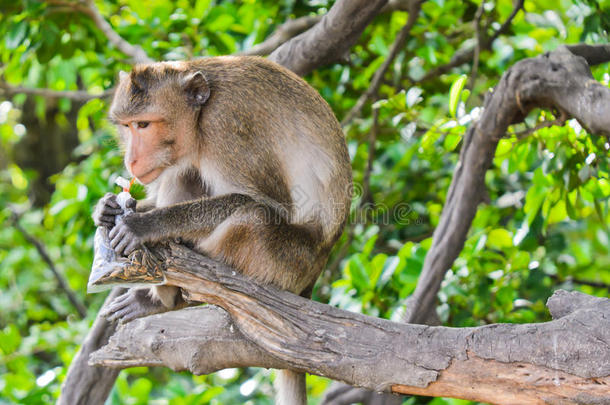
(543, 227)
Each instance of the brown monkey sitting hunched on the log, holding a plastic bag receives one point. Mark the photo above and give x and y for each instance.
(242, 159)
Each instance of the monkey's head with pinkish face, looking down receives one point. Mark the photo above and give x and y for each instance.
(156, 108)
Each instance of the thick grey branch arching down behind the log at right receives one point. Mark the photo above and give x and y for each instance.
(559, 80)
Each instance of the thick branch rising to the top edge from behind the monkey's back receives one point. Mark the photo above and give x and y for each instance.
(330, 39)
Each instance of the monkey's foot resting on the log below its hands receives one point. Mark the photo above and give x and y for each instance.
(135, 303)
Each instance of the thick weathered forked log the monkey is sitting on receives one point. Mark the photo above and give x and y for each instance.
(567, 359)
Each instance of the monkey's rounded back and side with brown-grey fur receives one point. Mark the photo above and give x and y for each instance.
(293, 148)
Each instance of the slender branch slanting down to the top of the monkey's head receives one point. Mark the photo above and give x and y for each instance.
(88, 8)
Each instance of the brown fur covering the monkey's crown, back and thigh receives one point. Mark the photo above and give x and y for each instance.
(238, 140)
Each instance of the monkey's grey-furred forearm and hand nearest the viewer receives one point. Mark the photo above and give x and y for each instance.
(186, 219)
